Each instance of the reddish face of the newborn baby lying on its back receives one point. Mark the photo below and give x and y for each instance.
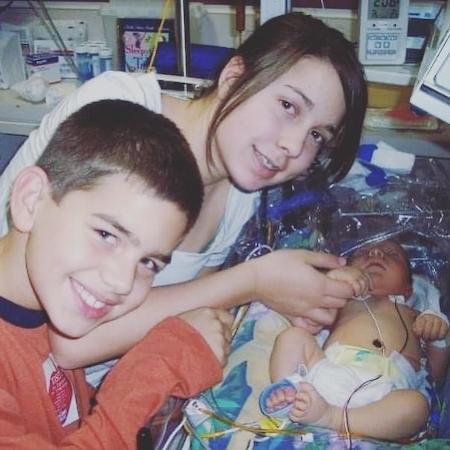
(387, 265)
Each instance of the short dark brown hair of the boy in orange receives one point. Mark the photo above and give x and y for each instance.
(116, 136)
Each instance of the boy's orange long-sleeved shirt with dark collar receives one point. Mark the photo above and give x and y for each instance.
(173, 359)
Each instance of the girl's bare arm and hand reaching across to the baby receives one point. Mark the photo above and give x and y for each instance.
(286, 280)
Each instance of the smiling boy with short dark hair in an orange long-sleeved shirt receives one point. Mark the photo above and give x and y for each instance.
(92, 223)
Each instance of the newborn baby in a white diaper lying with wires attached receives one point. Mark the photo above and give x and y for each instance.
(372, 353)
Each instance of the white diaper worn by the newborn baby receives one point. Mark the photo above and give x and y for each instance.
(360, 376)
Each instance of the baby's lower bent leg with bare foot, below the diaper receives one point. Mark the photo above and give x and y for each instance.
(400, 414)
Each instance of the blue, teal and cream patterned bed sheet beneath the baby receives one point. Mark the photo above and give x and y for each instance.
(230, 417)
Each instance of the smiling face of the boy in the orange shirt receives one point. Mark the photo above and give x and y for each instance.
(92, 257)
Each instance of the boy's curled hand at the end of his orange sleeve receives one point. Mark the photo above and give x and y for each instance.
(214, 325)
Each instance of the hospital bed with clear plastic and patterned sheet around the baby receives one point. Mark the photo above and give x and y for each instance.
(372, 203)
